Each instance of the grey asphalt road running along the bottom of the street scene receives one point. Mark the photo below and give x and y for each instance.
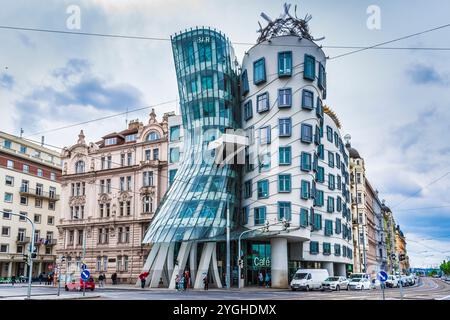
(428, 289)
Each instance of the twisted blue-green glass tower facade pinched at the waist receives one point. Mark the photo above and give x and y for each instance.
(195, 206)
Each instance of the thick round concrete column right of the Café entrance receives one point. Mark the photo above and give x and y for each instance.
(279, 263)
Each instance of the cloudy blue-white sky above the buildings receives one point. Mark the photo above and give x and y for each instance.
(394, 103)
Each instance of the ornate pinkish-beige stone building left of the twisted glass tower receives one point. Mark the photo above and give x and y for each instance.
(110, 191)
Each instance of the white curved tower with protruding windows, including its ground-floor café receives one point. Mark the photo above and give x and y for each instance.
(296, 164)
